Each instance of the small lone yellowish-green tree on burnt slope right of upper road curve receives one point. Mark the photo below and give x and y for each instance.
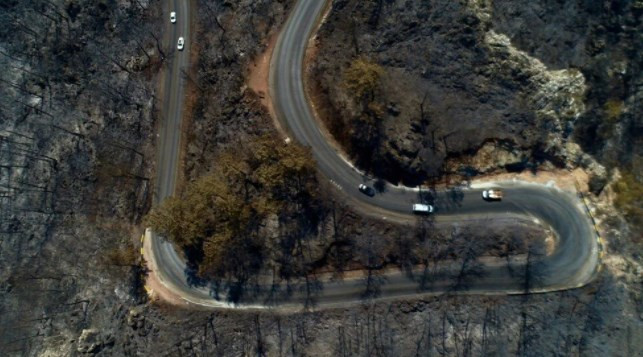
(362, 78)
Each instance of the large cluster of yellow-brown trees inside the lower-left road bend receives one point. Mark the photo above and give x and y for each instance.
(225, 220)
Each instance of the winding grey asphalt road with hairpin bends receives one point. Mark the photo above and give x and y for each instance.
(573, 263)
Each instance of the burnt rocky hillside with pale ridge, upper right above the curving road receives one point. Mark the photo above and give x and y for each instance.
(469, 89)
